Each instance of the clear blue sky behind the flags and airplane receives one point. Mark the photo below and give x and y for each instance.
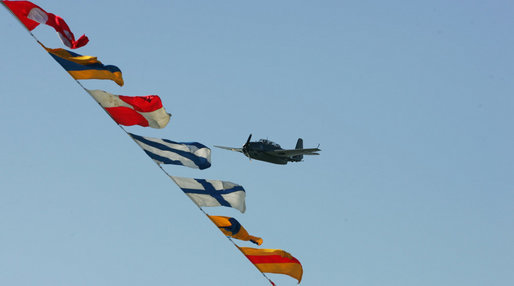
(411, 101)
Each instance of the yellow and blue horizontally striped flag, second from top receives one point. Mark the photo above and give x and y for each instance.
(85, 67)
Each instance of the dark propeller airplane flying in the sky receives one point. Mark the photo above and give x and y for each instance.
(267, 151)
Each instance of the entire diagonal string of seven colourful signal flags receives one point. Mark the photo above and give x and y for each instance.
(148, 111)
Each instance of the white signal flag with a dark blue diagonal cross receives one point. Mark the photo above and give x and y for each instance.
(213, 193)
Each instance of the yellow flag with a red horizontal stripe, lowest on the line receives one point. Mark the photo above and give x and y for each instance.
(274, 261)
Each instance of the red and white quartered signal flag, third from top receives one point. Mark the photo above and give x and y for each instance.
(133, 110)
